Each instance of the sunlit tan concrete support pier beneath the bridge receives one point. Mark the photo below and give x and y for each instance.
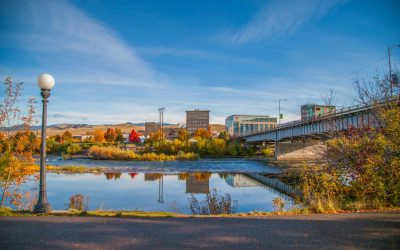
(300, 151)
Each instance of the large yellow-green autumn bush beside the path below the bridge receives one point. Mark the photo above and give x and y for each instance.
(362, 171)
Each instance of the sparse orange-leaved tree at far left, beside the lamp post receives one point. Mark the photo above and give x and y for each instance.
(17, 144)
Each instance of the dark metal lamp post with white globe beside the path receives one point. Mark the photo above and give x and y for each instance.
(46, 83)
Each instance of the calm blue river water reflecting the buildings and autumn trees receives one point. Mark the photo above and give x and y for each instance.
(154, 186)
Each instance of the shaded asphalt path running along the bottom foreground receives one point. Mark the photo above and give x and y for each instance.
(329, 231)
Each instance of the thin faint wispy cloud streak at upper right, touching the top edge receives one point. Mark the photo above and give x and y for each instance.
(278, 18)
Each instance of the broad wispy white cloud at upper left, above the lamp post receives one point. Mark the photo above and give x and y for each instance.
(65, 39)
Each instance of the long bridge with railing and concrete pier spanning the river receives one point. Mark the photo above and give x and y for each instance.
(314, 128)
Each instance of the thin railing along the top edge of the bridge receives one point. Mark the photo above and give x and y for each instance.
(330, 114)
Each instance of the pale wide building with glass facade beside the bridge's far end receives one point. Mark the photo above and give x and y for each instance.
(238, 125)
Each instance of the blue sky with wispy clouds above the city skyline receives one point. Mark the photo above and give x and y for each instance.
(119, 61)
